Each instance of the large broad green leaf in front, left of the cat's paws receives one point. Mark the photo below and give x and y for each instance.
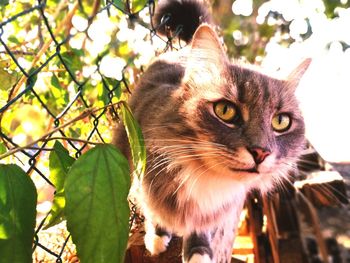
(97, 208)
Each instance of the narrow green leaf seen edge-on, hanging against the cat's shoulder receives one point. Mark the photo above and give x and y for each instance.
(135, 137)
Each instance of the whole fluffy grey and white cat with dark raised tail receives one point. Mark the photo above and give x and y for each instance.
(213, 132)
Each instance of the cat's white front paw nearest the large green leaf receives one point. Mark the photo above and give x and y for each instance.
(156, 238)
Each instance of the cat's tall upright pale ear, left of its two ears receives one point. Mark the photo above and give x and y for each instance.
(207, 60)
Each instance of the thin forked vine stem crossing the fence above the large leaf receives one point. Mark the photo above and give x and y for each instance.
(81, 116)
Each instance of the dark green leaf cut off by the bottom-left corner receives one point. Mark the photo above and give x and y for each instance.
(17, 214)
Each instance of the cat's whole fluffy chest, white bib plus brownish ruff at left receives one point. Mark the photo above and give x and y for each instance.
(193, 201)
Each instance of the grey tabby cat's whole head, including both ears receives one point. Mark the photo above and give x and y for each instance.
(241, 124)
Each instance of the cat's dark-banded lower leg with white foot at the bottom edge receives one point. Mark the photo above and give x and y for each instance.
(197, 249)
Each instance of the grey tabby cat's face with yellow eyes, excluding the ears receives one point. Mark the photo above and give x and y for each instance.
(251, 128)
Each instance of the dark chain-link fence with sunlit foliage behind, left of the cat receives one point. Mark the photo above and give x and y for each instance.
(55, 89)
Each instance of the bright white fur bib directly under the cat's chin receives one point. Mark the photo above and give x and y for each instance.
(208, 200)
